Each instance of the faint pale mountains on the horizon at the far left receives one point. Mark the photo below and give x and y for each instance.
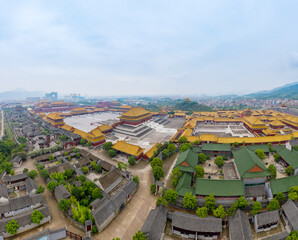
(19, 94)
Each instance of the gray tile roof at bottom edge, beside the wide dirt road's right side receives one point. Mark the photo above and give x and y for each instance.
(155, 223)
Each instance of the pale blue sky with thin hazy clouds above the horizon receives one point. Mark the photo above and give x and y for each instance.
(151, 47)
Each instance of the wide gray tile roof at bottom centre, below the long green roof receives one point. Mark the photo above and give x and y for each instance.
(192, 222)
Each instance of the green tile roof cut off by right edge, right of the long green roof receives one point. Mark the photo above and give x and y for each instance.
(283, 184)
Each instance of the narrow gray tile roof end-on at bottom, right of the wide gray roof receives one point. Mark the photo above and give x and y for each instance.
(239, 226)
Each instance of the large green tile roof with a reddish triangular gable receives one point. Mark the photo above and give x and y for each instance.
(245, 160)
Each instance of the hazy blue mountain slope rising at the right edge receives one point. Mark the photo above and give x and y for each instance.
(287, 91)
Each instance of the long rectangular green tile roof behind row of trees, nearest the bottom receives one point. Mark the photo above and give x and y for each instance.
(220, 188)
